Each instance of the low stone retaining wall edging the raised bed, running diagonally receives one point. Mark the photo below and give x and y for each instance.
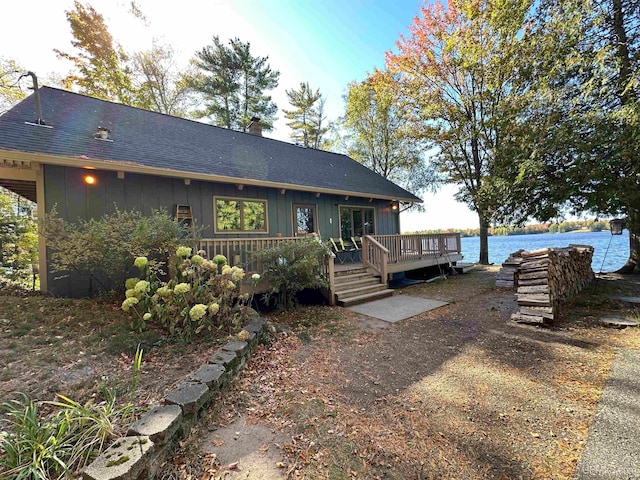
(152, 439)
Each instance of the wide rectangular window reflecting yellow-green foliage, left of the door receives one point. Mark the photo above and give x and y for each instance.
(238, 215)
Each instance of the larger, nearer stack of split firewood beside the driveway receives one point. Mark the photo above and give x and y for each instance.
(546, 277)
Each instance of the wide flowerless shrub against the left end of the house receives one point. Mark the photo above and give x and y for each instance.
(103, 248)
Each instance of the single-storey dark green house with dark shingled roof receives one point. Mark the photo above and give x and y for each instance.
(88, 156)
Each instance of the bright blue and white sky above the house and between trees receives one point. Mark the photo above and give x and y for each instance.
(327, 43)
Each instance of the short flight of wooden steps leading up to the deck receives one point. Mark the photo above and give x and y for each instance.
(358, 286)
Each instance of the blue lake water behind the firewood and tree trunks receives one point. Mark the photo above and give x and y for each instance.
(501, 247)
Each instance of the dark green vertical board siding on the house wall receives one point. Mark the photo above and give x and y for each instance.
(74, 199)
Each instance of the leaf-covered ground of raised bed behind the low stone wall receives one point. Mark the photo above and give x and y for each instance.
(78, 347)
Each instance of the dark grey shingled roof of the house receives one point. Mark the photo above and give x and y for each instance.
(150, 139)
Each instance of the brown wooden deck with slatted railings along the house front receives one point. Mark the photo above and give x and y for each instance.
(382, 255)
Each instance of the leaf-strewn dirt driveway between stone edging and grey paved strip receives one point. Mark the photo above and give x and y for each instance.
(459, 392)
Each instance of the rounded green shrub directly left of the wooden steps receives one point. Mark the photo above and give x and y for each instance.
(291, 267)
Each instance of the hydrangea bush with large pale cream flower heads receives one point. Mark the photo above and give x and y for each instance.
(203, 295)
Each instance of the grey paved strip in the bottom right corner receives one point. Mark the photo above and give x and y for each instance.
(613, 446)
